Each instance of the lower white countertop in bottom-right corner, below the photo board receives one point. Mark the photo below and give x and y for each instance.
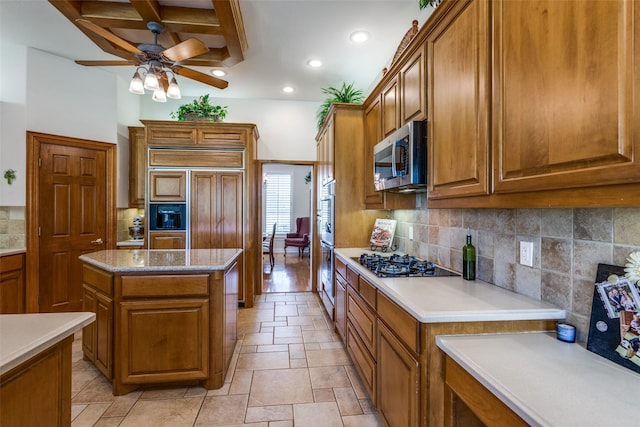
(548, 382)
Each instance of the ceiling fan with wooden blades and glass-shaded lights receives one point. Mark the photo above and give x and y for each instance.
(155, 61)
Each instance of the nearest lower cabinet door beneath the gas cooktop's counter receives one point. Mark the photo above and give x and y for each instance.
(398, 381)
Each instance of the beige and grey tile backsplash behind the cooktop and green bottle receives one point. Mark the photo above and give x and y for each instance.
(568, 245)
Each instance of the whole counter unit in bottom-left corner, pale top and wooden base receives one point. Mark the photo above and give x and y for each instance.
(35, 367)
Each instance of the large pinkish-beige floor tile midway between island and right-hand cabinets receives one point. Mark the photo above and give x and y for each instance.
(280, 387)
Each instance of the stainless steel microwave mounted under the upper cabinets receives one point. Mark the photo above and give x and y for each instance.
(400, 160)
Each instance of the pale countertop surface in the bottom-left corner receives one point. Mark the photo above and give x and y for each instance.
(23, 336)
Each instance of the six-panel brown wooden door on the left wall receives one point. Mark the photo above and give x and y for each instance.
(72, 203)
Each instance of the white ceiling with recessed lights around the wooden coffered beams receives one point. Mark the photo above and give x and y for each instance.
(282, 35)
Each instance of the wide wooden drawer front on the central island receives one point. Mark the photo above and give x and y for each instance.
(165, 286)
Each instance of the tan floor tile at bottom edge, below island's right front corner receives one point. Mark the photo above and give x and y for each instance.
(222, 410)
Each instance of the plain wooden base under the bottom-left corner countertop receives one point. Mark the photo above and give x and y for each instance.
(38, 391)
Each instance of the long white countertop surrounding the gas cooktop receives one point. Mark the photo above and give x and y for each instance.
(453, 299)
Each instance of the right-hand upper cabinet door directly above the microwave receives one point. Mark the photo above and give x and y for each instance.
(414, 92)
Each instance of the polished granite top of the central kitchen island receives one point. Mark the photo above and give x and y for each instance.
(159, 260)
